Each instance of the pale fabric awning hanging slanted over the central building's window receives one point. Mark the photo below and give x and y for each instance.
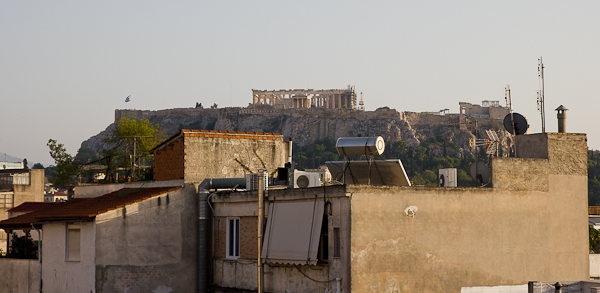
(292, 232)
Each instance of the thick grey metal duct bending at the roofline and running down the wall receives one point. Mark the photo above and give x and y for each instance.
(204, 228)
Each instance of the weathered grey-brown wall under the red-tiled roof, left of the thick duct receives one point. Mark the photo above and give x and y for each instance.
(149, 245)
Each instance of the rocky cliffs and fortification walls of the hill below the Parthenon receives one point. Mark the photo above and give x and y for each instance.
(305, 125)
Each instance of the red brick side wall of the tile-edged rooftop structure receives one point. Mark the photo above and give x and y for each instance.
(169, 161)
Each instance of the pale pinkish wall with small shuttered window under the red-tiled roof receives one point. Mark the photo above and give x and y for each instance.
(60, 275)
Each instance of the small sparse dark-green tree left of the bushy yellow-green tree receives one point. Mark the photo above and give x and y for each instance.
(66, 171)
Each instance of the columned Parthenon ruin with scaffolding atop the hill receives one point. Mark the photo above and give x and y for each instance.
(306, 98)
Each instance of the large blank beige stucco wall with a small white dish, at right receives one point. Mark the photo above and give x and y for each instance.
(464, 237)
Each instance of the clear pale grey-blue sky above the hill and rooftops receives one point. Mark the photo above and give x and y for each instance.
(65, 66)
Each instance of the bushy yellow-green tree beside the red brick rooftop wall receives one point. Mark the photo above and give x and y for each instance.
(131, 141)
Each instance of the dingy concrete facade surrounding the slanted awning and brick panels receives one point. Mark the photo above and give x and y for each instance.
(242, 273)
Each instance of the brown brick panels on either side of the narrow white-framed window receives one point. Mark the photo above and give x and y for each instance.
(248, 237)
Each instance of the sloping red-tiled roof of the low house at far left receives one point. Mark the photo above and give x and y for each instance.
(85, 208)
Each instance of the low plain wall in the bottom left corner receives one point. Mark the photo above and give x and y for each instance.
(19, 275)
